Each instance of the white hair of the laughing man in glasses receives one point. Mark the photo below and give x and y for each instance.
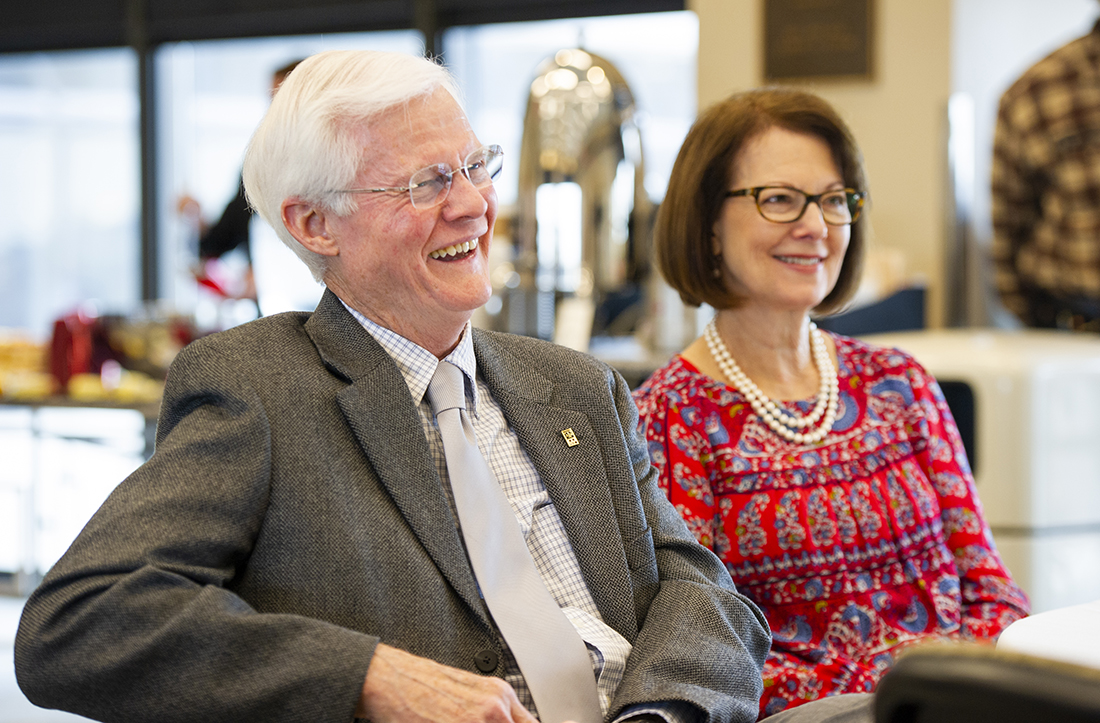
(310, 144)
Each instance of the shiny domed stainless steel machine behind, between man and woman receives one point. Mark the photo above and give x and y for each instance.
(582, 232)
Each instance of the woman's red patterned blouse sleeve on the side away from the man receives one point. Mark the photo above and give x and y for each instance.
(992, 600)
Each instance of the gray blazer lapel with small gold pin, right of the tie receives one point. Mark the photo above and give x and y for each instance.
(575, 477)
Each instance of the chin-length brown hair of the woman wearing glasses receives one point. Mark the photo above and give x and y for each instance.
(702, 174)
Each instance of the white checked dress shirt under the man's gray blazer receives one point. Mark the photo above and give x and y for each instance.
(535, 512)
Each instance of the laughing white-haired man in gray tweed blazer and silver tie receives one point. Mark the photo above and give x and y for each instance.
(303, 545)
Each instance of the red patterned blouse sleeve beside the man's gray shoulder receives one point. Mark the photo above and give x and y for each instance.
(681, 452)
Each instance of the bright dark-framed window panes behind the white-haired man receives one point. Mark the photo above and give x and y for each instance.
(70, 143)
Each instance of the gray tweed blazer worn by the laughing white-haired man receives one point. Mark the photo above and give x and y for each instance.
(291, 519)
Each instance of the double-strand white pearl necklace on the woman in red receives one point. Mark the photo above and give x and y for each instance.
(786, 425)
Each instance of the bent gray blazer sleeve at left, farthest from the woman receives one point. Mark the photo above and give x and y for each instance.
(138, 621)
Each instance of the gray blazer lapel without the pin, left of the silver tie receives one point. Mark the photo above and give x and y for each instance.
(380, 412)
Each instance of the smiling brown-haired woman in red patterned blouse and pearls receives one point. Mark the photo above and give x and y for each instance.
(827, 474)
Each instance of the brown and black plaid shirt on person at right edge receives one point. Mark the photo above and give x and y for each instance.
(1047, 179)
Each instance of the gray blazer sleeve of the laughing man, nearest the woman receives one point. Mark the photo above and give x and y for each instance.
(701, 642)
